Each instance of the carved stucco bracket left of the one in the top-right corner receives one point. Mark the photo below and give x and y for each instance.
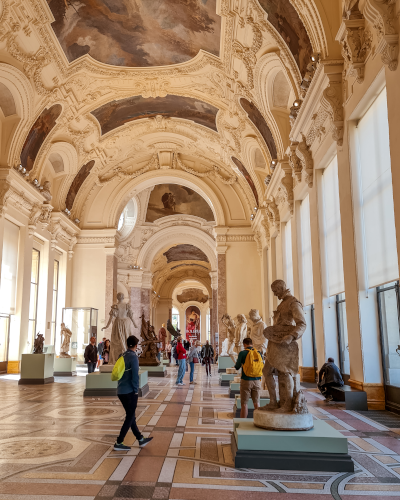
(356, 43)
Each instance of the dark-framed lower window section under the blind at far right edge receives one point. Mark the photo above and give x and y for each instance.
(389, 307)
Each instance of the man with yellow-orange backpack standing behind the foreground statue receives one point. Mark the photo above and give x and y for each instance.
(251, 363)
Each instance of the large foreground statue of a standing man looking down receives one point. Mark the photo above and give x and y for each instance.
(283, 350)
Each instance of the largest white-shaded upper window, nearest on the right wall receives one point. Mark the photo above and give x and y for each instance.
(376, 194)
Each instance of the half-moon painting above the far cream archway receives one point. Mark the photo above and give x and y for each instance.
(173, 199)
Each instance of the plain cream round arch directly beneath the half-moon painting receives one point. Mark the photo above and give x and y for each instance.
(177, 235)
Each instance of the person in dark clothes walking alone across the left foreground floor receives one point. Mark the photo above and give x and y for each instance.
(128, 393)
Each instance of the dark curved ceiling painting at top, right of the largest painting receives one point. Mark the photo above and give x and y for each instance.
(284, 18)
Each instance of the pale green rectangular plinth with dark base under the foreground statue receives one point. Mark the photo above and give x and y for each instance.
(322, 448)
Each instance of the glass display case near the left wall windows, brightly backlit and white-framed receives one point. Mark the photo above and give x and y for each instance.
(82, 321)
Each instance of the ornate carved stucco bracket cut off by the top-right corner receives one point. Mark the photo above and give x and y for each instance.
(384, 18)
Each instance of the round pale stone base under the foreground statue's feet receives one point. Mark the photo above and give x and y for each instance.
(273, 421)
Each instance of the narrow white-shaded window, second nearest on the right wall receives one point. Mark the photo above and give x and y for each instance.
(332, 229)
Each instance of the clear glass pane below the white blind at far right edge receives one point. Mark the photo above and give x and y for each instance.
(390, 334)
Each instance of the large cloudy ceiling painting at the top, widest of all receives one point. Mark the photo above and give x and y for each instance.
(139, 33)
